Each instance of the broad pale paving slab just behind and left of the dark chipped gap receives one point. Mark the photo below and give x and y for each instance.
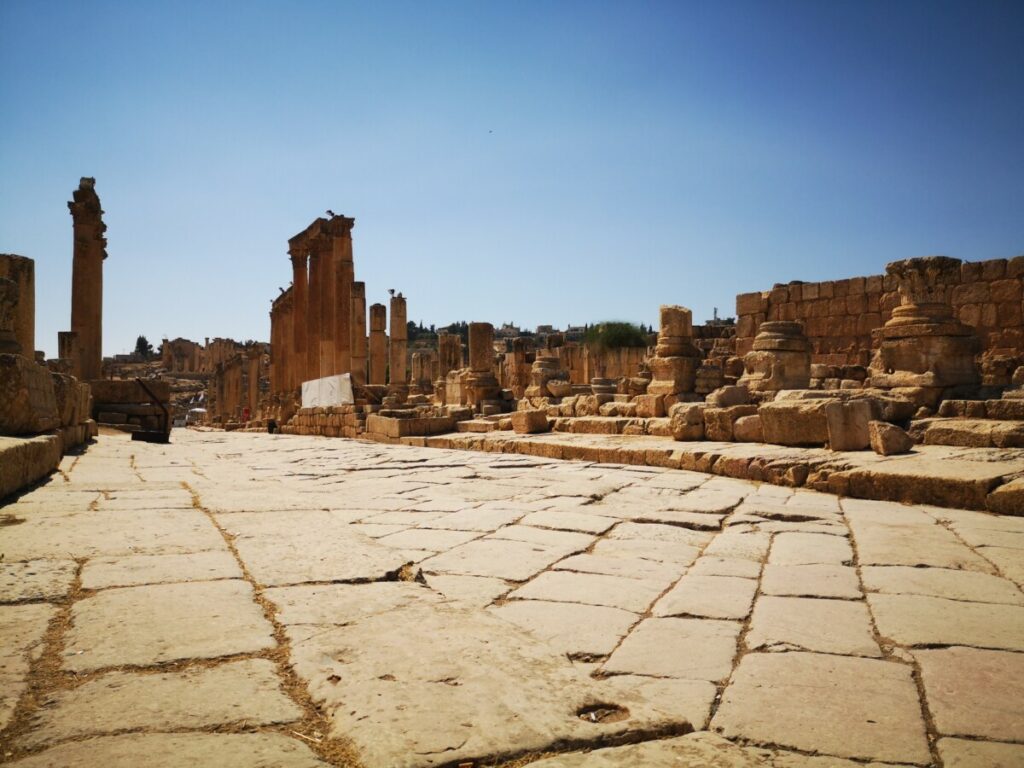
(313, 546)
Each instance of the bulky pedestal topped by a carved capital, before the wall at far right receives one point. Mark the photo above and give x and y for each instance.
(924, 350)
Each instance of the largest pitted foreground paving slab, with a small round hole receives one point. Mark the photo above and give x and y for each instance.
(435, 684)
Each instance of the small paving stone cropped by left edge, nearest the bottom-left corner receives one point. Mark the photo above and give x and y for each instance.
(22, 631)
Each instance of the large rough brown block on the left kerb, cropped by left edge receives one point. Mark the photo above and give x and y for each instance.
(28, 403)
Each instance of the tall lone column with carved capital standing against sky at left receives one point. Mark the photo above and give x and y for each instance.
(88, 280)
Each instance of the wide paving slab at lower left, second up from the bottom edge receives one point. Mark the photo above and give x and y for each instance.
(246, 692)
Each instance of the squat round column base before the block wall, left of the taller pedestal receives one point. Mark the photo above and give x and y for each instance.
(781, 359)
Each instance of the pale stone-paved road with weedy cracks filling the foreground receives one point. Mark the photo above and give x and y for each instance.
(255, 601)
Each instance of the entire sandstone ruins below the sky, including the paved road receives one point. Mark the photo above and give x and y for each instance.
(791, 541)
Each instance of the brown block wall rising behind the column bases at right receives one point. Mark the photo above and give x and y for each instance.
(839, 316)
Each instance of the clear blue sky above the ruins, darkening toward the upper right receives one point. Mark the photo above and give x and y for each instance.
(528, 162)
